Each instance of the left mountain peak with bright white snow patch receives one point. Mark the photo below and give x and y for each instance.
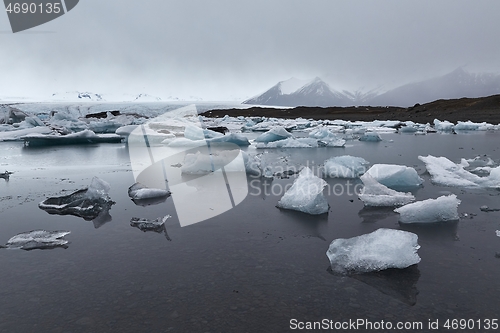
(294, 92)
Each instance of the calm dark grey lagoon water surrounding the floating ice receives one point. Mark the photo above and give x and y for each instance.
(252, 269)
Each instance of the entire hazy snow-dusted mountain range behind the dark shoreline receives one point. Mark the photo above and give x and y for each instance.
(456, 84)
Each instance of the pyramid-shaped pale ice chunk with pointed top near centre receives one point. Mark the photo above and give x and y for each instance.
(306, 194)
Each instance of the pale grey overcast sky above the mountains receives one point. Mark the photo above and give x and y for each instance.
(218, 49)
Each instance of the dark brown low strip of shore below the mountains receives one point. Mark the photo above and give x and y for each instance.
(483, 109)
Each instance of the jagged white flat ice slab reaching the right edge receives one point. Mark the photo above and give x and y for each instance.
(445, 172)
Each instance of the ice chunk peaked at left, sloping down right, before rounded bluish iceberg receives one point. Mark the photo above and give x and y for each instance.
(376, 194)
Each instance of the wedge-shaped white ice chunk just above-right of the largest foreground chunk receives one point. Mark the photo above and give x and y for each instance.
(444, 208)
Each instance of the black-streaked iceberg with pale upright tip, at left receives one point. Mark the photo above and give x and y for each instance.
(88, 203)
